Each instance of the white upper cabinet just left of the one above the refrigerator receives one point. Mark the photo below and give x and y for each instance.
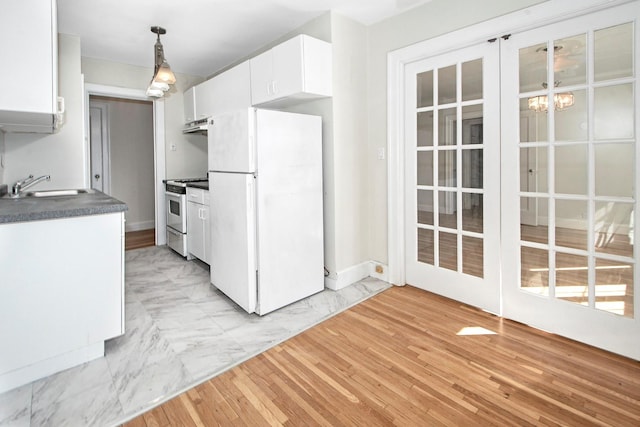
(228, 91)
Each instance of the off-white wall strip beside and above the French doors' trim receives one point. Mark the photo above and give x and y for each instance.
(421, 23)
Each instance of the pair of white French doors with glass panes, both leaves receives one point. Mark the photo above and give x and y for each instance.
(521, 180)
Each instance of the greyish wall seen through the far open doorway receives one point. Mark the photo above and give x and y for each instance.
(131, 159)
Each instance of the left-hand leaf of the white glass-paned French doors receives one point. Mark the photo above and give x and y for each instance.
(452, 180)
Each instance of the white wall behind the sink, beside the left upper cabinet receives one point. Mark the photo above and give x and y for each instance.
(60, 155)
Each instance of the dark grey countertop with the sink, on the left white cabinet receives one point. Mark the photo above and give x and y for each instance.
(43, 208)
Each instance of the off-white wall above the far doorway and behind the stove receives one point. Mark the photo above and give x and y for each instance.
(190, 156)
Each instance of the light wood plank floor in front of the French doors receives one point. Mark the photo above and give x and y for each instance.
(400, 358)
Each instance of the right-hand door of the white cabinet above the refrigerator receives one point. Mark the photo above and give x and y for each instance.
(287, 68)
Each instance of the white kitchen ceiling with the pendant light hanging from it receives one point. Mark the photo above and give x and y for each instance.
(202, 36)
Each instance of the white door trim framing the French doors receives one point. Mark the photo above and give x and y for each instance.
(526, 19)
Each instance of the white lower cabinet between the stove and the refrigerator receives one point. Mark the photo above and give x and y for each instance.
(198, 226)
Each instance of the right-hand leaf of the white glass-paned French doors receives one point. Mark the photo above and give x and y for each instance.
(572, 269)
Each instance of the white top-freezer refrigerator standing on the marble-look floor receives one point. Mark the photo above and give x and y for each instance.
(265, 183)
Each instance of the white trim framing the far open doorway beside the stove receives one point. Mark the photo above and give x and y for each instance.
(158, 152)
